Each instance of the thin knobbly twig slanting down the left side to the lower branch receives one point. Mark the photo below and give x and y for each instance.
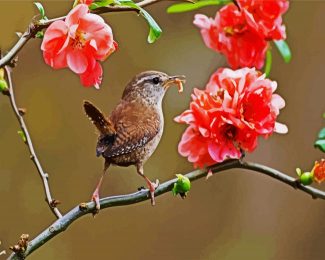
(44, 176)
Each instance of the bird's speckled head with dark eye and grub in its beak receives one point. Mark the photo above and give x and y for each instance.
(151, 86)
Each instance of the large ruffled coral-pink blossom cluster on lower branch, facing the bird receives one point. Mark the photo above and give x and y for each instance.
(229, 115)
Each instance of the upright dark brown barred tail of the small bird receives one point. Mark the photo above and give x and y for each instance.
(103, 124)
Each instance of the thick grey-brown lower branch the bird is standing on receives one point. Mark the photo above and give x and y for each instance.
(122, 200)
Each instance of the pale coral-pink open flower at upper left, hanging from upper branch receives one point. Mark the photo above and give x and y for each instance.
(79, 43)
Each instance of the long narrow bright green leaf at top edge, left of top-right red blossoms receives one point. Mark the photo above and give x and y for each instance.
(186, 7)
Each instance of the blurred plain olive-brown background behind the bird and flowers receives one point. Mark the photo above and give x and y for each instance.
(234, 215)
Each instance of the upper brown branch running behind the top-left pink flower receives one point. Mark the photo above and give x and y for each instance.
(36, 26)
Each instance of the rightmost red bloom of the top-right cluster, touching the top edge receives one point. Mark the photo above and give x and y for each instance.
(265, 16)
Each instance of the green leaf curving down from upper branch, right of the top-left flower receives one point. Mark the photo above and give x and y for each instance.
(155, 30)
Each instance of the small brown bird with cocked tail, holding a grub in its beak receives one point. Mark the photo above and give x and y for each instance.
(132, 132)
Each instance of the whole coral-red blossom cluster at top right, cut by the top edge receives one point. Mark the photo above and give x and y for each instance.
(242, 33)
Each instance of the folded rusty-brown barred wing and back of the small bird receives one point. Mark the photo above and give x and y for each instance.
(135, 126)
